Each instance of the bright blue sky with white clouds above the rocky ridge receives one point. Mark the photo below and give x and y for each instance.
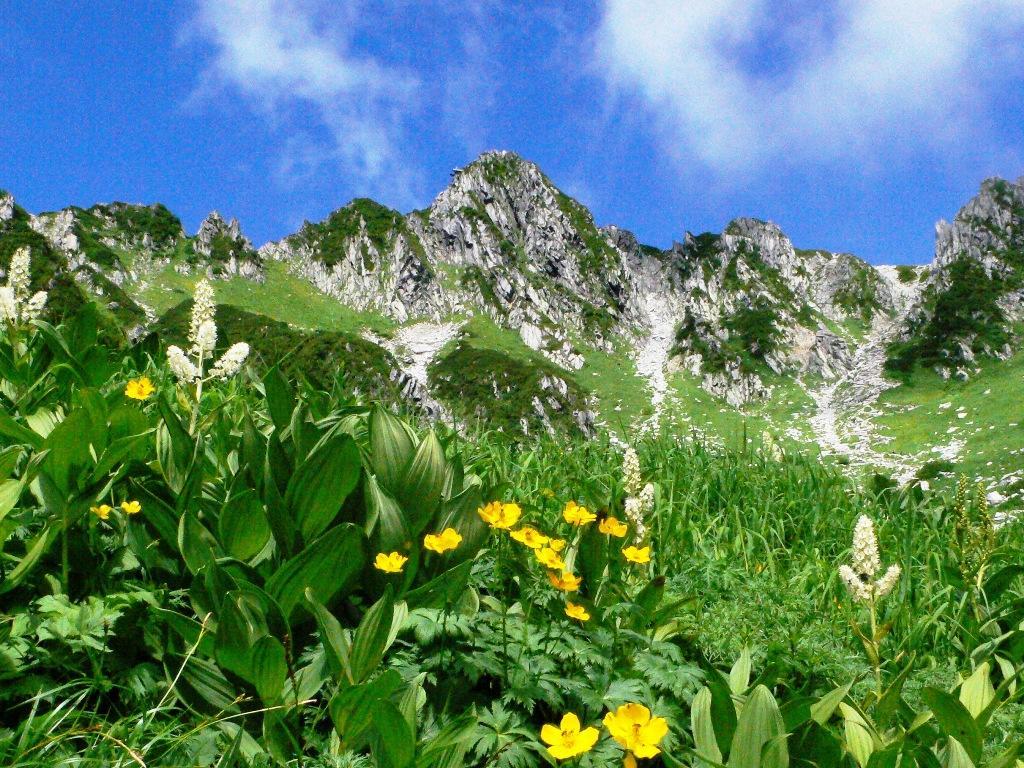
(854, 124)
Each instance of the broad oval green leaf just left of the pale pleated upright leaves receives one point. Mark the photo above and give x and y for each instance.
(321, 484)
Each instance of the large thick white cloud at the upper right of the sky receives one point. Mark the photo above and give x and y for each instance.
(862, 79)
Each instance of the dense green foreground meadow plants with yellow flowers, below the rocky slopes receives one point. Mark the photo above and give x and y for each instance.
(253, 571)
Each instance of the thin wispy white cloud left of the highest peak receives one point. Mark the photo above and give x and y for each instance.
(291, 60)
